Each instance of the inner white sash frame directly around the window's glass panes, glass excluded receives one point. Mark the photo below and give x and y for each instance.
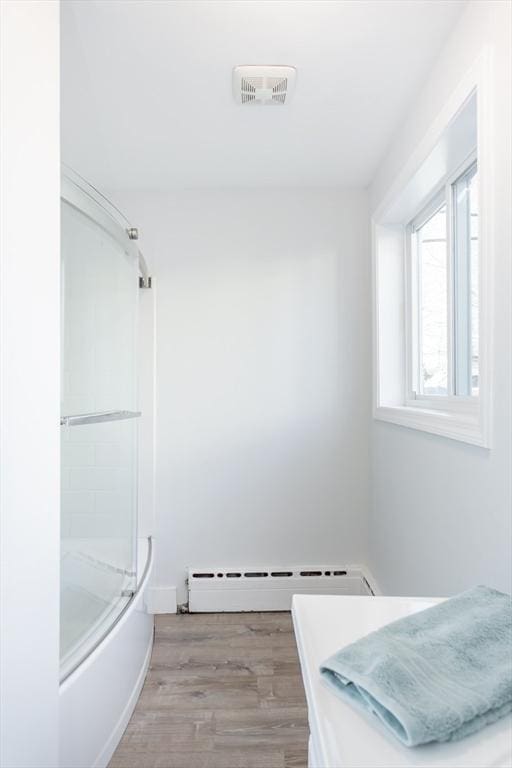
(453, 402)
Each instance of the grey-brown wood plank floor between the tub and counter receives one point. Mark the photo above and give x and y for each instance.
(223, 691)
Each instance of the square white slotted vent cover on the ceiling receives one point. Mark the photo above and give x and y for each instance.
(263, 84)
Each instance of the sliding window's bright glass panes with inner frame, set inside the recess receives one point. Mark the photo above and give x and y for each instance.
(443, 278)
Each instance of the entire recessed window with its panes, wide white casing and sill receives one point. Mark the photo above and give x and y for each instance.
(432, 263)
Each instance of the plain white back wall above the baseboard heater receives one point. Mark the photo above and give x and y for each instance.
(262, 391)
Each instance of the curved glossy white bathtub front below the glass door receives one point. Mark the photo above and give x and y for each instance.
(98, 698)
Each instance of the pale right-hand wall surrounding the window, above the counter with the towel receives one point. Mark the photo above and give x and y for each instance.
(440, 517)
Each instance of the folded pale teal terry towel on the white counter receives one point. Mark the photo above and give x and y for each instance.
(437, 675)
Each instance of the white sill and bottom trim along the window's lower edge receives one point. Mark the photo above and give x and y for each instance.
(455, 425)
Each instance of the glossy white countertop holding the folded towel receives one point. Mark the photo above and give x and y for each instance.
(344, 737)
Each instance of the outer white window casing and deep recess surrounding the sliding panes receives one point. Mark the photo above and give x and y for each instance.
(466, 419)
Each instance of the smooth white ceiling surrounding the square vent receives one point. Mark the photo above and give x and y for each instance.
(147, 101)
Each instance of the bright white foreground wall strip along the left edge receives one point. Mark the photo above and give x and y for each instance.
(29, 383)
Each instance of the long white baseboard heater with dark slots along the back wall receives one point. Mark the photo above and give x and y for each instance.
(269, 589)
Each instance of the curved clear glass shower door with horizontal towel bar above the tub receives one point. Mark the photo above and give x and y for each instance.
(99, 432)
